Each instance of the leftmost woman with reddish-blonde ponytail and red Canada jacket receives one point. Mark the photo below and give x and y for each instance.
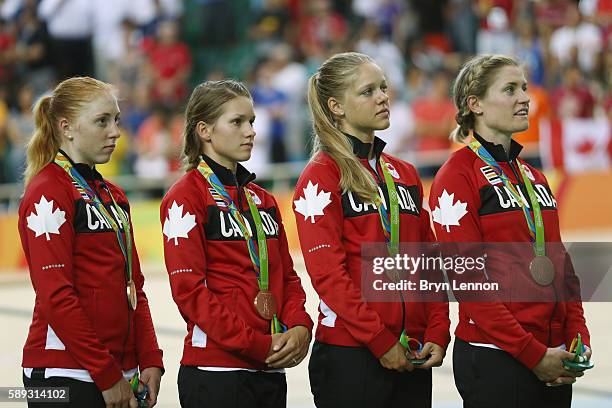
(91, 330)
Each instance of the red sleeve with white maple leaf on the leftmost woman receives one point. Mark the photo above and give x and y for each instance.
(50, 261)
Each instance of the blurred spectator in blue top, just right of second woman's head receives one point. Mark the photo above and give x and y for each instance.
(267, 96)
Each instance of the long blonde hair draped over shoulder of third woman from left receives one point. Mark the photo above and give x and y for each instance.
(331, 81)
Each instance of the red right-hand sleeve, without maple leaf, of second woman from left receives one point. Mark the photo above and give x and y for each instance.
(294, 313)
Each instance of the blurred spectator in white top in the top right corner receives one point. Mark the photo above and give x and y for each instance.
(577, 42)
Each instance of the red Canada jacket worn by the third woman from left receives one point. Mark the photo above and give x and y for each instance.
(331, 235)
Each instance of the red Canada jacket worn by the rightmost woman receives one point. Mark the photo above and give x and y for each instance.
(523, 329)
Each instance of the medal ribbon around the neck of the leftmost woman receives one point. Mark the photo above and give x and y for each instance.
(85, 190)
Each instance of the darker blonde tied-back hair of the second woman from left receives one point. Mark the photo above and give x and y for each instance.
(206, 105)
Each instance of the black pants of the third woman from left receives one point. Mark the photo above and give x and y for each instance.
(352, 377)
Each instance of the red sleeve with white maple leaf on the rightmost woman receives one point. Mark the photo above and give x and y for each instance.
(492, 318)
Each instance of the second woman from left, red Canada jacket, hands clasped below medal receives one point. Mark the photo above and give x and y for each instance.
(228, 262)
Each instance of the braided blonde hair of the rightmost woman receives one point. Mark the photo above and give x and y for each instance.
(475, 78)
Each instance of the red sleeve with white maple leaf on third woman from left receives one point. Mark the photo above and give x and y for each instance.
(325, 258)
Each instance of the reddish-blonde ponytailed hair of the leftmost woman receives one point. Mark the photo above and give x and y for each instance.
(64, 102)
